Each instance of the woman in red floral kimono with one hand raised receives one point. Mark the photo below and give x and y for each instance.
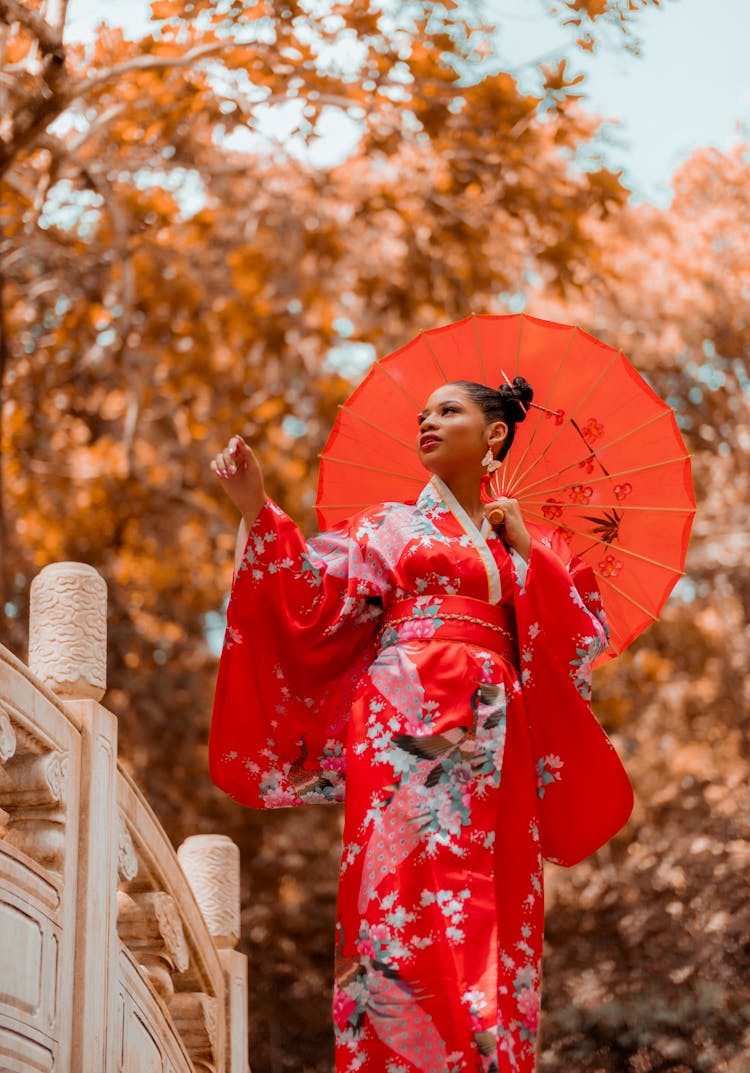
(418, 649)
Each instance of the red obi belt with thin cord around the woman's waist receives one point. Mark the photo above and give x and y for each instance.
(452, 619)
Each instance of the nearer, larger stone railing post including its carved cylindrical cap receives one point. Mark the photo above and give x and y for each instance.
(68, 653)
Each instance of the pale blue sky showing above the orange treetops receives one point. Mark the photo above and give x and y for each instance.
(690, 87)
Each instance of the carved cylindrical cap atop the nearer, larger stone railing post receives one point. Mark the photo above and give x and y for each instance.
(68, 630)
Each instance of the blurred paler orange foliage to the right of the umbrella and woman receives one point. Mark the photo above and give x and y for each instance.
(648, 940)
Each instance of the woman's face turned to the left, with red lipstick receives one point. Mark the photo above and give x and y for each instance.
(454, 435)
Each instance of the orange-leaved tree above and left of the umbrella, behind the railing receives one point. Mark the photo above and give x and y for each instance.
(167, 281)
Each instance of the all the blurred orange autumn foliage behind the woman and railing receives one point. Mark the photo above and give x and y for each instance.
(166, 283)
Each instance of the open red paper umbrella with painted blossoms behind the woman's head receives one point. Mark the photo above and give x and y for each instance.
(599, 459)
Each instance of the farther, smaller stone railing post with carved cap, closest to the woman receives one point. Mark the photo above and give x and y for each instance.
(212, 865)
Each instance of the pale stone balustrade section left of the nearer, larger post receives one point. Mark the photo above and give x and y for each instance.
(40, 778)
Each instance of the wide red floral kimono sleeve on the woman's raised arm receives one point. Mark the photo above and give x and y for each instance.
(301, 633)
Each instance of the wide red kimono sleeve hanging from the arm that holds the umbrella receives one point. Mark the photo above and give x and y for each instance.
(584, 792)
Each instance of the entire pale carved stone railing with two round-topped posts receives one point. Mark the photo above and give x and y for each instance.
(116, 953)
